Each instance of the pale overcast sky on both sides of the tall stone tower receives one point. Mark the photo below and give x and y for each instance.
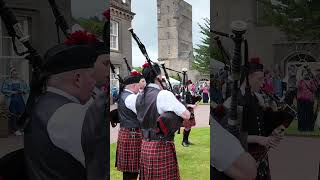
(145, 26)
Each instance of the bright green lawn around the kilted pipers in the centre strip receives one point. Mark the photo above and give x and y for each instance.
(193, 161)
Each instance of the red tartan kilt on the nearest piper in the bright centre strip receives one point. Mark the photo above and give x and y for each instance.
(158, 161)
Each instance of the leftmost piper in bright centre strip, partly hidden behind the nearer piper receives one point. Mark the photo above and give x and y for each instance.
(130, 136)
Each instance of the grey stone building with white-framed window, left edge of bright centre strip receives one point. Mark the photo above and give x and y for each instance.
(120, 37)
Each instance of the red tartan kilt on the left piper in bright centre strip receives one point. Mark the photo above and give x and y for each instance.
(128, 150)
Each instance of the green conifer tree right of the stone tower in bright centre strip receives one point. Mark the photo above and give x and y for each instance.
(203, 53)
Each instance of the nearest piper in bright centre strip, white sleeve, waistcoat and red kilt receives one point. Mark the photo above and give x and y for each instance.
(158, 154)
